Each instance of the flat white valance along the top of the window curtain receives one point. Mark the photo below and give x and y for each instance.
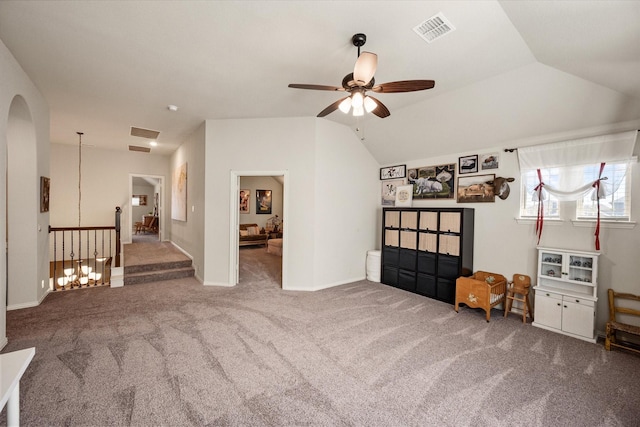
(586, 151)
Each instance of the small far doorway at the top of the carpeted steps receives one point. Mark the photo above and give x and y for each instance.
(146, 216)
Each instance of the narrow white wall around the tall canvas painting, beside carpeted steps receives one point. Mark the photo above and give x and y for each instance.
(188, 235)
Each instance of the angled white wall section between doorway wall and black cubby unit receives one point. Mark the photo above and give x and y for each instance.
(346, 196)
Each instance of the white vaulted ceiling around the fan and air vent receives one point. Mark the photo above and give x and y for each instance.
(512, 71)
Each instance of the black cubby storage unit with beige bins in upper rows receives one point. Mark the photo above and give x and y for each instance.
(424, 250)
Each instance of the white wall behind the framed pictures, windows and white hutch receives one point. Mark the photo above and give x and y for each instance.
(507, 246)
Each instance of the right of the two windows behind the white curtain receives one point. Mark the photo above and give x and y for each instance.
(616, 205)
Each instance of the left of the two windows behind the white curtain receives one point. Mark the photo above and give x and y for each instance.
(528, 198)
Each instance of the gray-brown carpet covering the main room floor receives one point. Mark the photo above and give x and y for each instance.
(177, 353)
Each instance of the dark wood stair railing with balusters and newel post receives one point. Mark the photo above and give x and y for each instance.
(83, 256)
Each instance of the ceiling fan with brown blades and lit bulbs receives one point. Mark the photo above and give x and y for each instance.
(360, 81)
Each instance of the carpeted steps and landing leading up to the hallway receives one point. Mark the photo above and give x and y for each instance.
(153, 262)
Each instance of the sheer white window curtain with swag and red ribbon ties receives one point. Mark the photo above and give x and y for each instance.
(570, 157)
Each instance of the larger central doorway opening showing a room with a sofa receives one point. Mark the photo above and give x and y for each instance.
(259, 228)
